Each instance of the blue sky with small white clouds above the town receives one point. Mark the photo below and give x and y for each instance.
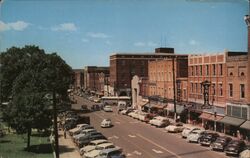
(87, 32)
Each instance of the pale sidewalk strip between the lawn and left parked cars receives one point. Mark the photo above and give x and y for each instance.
(67, 148)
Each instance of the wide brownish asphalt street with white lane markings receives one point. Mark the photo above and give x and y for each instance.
(138, 139)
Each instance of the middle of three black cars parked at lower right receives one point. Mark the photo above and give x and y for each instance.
(220, 143)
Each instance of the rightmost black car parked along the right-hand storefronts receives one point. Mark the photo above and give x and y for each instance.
(235, 147)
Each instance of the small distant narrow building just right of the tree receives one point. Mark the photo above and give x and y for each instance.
(78, 78)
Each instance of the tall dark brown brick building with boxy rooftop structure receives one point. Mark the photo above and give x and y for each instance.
(124, 66)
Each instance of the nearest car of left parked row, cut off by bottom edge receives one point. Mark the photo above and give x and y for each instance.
(111, 153)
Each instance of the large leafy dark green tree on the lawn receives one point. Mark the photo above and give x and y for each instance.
(27, 76)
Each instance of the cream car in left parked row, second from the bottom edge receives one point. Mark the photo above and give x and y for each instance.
(94, 153)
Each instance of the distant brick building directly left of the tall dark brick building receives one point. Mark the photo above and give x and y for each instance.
(94, 79)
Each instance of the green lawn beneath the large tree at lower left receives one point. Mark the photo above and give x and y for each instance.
(13, 146)
